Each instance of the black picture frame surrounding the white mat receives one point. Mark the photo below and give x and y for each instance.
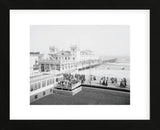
(6, 5)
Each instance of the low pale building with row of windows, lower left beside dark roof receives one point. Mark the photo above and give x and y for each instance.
(42, 85)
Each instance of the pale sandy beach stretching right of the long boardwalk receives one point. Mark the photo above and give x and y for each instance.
(119, 69)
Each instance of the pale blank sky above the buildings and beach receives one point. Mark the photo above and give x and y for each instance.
(105, 40)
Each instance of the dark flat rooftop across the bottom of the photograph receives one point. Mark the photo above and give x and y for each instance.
(88, 96)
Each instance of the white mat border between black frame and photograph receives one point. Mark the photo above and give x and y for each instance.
(19, 33)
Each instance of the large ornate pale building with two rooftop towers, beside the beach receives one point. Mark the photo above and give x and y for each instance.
(67, 61)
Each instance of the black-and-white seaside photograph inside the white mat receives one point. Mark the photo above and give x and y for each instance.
(80, 65)
